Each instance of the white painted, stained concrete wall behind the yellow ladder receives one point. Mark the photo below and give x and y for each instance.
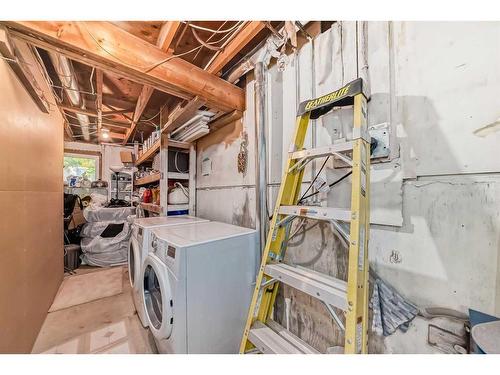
(435, 202)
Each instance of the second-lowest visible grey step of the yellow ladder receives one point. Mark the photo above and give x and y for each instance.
(325, 288)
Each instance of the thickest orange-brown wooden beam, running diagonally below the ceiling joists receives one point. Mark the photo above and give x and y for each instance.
(106, 46)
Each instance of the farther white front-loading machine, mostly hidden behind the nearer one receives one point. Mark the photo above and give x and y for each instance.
(139, 244)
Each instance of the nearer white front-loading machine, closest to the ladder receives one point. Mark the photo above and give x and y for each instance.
(198, 286)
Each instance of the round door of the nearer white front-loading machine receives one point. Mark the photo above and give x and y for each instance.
(158, 297)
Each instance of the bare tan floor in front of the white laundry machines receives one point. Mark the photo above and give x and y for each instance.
(107, 325)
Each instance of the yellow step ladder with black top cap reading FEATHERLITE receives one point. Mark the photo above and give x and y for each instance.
(261, 333)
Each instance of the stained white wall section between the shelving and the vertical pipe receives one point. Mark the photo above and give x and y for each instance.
(222, 193)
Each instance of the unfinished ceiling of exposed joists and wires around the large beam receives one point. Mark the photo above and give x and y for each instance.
(77, 86)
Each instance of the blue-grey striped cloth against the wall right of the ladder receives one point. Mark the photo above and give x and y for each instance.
(390, 310)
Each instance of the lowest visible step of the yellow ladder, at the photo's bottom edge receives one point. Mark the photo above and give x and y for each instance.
(274, 339)
